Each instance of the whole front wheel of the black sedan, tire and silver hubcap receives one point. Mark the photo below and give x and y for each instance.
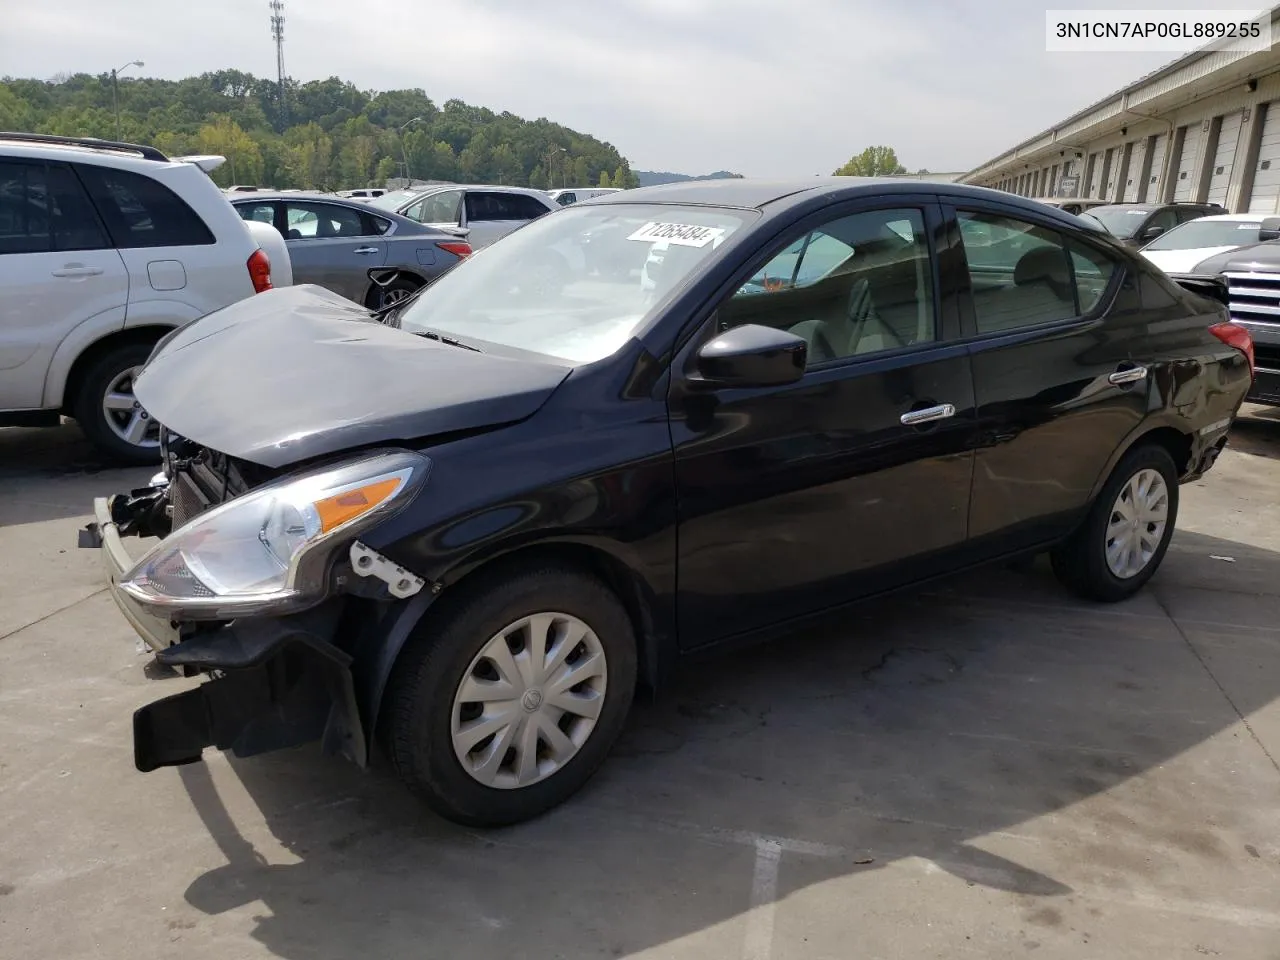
(508, 706)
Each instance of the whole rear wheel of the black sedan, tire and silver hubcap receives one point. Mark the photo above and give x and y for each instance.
(1127, 533)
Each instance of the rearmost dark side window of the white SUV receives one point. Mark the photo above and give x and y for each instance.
(141, 212)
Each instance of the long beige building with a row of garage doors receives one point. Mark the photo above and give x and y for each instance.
(1205, 129)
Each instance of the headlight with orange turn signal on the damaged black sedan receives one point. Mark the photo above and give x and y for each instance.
(269, 550)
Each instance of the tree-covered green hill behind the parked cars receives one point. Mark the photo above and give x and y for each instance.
(327, 135)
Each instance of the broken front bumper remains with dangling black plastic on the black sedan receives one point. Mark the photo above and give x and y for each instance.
(277, 682)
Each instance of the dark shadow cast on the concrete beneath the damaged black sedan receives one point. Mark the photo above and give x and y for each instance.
(941, 725)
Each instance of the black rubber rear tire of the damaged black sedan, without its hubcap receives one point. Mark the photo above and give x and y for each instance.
(1081, 561)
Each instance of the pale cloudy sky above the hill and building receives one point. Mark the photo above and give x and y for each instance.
(753, 86)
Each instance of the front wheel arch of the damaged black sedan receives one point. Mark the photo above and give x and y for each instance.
(652, 625)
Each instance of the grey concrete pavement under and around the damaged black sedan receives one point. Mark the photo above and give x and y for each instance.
(989, 769)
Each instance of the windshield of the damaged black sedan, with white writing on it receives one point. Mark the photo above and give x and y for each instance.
(575, 285)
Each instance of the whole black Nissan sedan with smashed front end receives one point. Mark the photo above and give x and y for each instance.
(525, 500)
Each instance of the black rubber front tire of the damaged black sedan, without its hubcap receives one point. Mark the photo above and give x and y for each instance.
(418, 714)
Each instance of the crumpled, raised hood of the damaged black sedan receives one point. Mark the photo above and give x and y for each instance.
(299, 373)
